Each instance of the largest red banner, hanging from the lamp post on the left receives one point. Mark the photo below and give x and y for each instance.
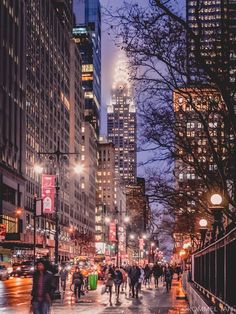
(48, 193)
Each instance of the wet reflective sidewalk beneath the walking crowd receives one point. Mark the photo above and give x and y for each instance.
(151, 300)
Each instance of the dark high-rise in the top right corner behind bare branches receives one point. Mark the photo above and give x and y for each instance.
(215, 24)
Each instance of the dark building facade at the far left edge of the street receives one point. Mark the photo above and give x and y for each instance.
(12, 120)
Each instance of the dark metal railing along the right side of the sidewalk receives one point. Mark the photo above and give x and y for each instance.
(214, 271)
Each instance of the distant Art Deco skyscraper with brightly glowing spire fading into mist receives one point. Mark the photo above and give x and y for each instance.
(122, 125)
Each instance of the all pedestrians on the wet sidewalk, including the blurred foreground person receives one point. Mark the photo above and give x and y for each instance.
(128, 279)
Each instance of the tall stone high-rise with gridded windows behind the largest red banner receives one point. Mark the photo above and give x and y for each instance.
(54, 111)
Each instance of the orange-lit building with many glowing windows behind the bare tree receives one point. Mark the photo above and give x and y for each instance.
(196, 170)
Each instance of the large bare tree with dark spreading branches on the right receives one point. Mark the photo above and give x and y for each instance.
(156, 39)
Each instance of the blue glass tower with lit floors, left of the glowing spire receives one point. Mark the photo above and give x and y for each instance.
(87, 34)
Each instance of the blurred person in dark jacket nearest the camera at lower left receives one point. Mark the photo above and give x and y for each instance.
(42, 290)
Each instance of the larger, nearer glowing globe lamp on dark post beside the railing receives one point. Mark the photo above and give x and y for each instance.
(217, 207)
